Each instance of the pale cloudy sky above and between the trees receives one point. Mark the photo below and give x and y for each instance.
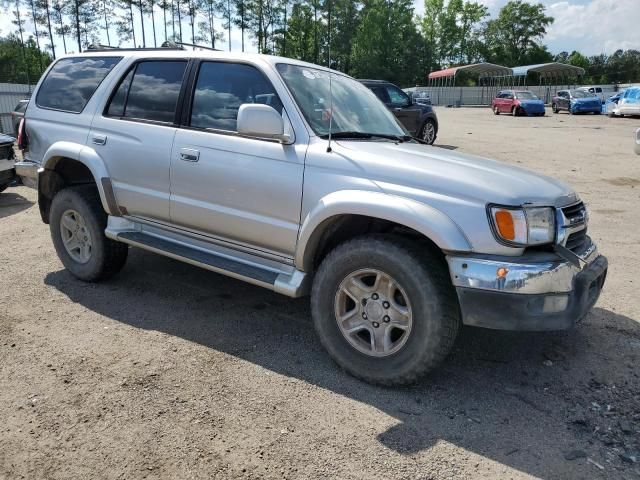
(589, 26)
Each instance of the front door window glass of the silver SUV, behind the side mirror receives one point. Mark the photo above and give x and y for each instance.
(220, 90)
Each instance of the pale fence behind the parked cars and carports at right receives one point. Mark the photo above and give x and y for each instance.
(460, 96)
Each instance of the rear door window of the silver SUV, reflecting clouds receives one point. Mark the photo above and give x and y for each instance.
(153, 93)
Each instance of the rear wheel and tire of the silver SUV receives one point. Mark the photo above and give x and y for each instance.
(82, 246)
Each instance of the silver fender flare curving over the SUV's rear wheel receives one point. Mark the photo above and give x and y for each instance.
(90, 159)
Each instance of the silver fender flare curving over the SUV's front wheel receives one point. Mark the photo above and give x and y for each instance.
(428, 221)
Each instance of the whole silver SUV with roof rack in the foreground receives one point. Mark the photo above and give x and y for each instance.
(298, 179)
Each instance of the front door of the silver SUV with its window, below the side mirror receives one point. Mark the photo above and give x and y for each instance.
(241, 190)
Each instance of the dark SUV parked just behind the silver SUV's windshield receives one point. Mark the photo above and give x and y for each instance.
(419, 119)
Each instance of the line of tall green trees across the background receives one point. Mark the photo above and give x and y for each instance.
(364, 38)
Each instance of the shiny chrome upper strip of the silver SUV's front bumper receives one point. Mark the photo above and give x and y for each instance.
(524, 278)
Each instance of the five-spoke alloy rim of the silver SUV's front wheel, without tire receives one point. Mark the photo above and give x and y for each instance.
(373, 312)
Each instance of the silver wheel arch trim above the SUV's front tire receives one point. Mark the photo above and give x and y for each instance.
(348, 213)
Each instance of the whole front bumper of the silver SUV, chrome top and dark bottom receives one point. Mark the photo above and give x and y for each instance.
(532, 296)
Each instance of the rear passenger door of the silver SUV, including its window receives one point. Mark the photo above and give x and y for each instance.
(134, 135)
